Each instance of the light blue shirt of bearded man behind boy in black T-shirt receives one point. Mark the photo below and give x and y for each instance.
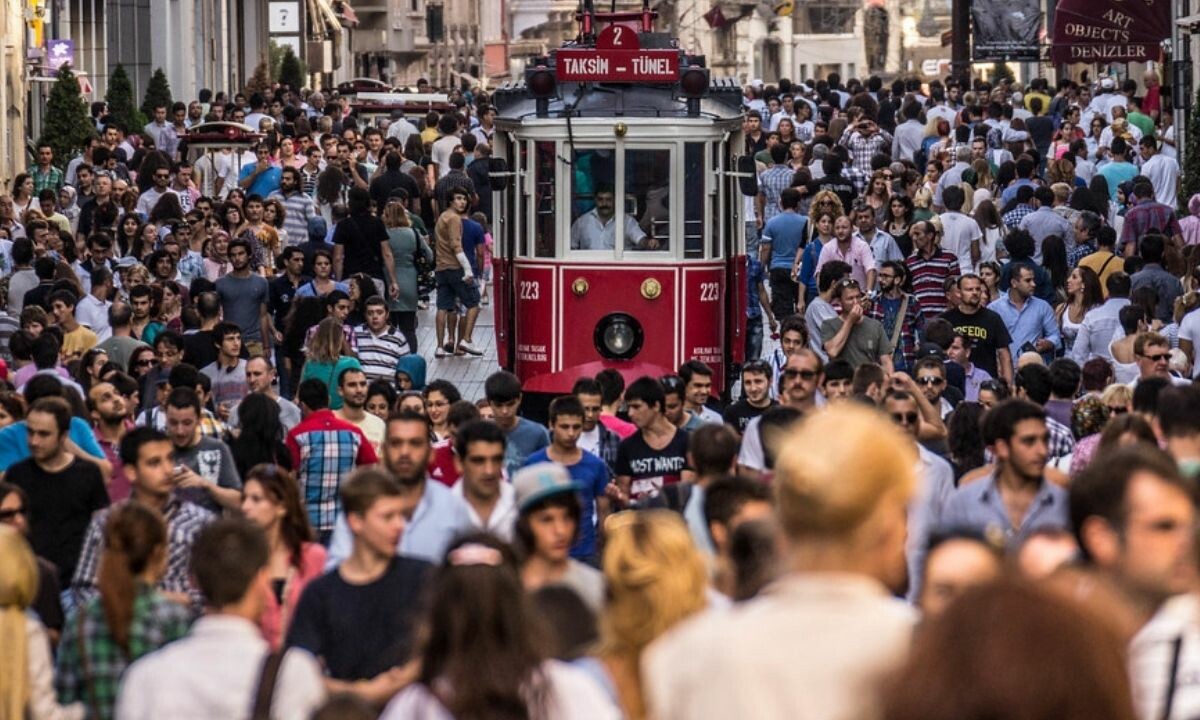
(440, 518)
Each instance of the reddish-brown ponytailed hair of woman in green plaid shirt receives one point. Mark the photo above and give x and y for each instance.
(134, 536)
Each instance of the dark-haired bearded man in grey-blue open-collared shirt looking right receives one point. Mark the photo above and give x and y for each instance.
(1016, 499)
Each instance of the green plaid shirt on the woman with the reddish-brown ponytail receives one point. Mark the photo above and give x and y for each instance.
(91, 664)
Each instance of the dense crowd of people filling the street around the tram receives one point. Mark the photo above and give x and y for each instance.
(962, 487)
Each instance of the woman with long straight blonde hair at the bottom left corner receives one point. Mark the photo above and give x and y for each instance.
(27, 669)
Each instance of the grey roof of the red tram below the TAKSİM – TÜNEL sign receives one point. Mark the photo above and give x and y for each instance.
(514, 103)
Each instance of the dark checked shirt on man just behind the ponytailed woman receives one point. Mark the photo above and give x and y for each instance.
(184, 524)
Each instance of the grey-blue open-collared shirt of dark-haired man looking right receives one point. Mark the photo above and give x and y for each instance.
(979, 507)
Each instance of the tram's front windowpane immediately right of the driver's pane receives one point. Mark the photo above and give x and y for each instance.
(649, 199)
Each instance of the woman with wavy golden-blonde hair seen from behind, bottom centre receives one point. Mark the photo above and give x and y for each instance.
(657, 579)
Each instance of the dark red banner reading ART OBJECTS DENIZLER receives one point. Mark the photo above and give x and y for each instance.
(1109, 31)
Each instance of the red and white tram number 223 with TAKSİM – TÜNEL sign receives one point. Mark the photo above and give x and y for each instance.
(620, 233)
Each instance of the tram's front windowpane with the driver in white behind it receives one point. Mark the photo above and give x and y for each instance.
(593, 200)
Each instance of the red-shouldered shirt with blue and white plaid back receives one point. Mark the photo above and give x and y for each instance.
(325, 449)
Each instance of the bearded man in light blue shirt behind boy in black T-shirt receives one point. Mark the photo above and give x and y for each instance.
(435, 515)
